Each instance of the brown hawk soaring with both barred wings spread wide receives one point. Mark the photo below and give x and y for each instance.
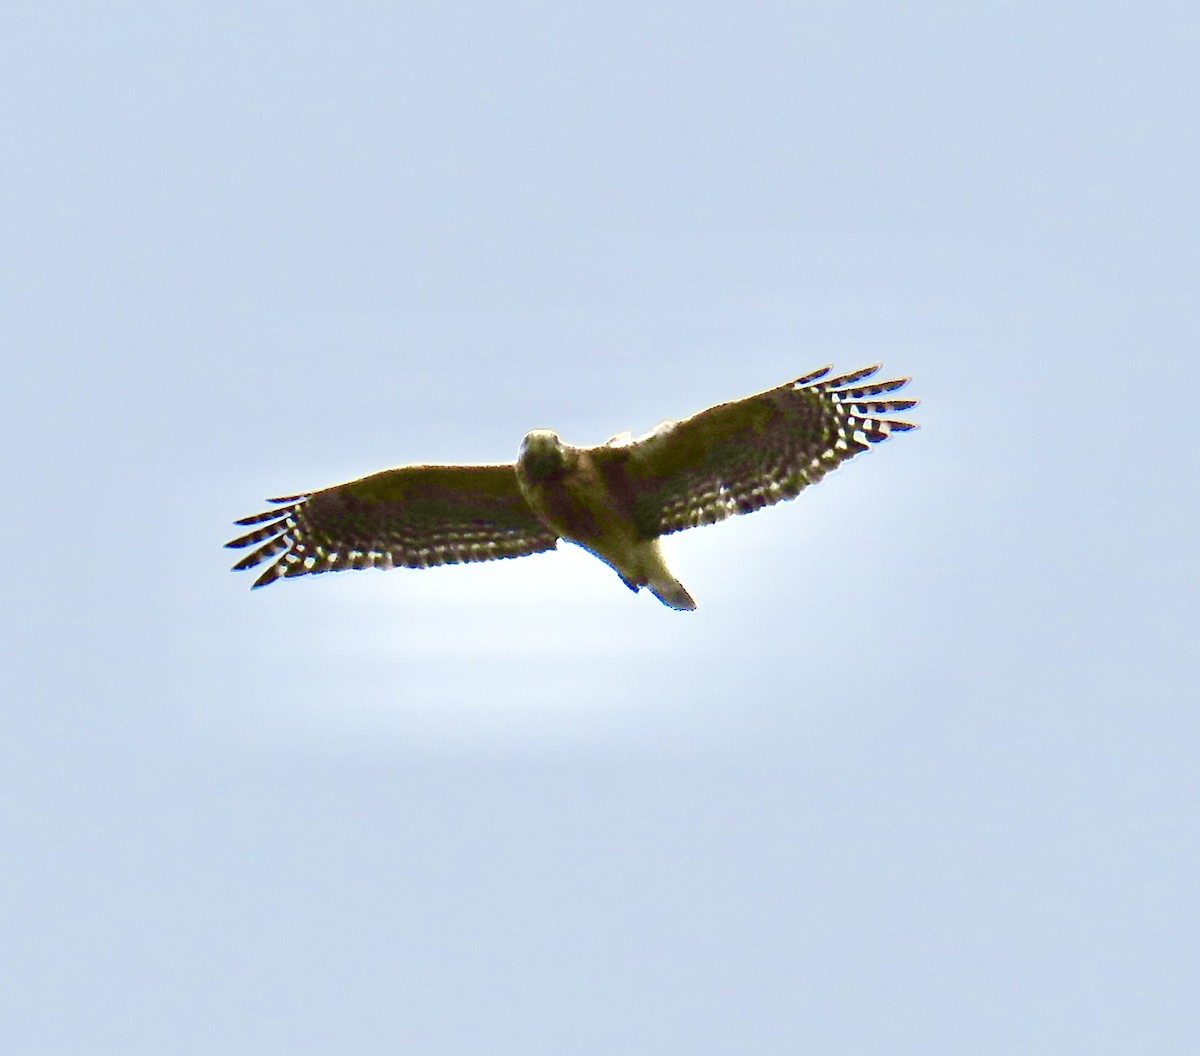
(615, 500)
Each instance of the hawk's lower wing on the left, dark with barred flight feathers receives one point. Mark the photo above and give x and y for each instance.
(410, 518)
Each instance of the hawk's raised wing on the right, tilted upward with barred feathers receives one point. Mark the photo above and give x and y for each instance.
(741, 457)
